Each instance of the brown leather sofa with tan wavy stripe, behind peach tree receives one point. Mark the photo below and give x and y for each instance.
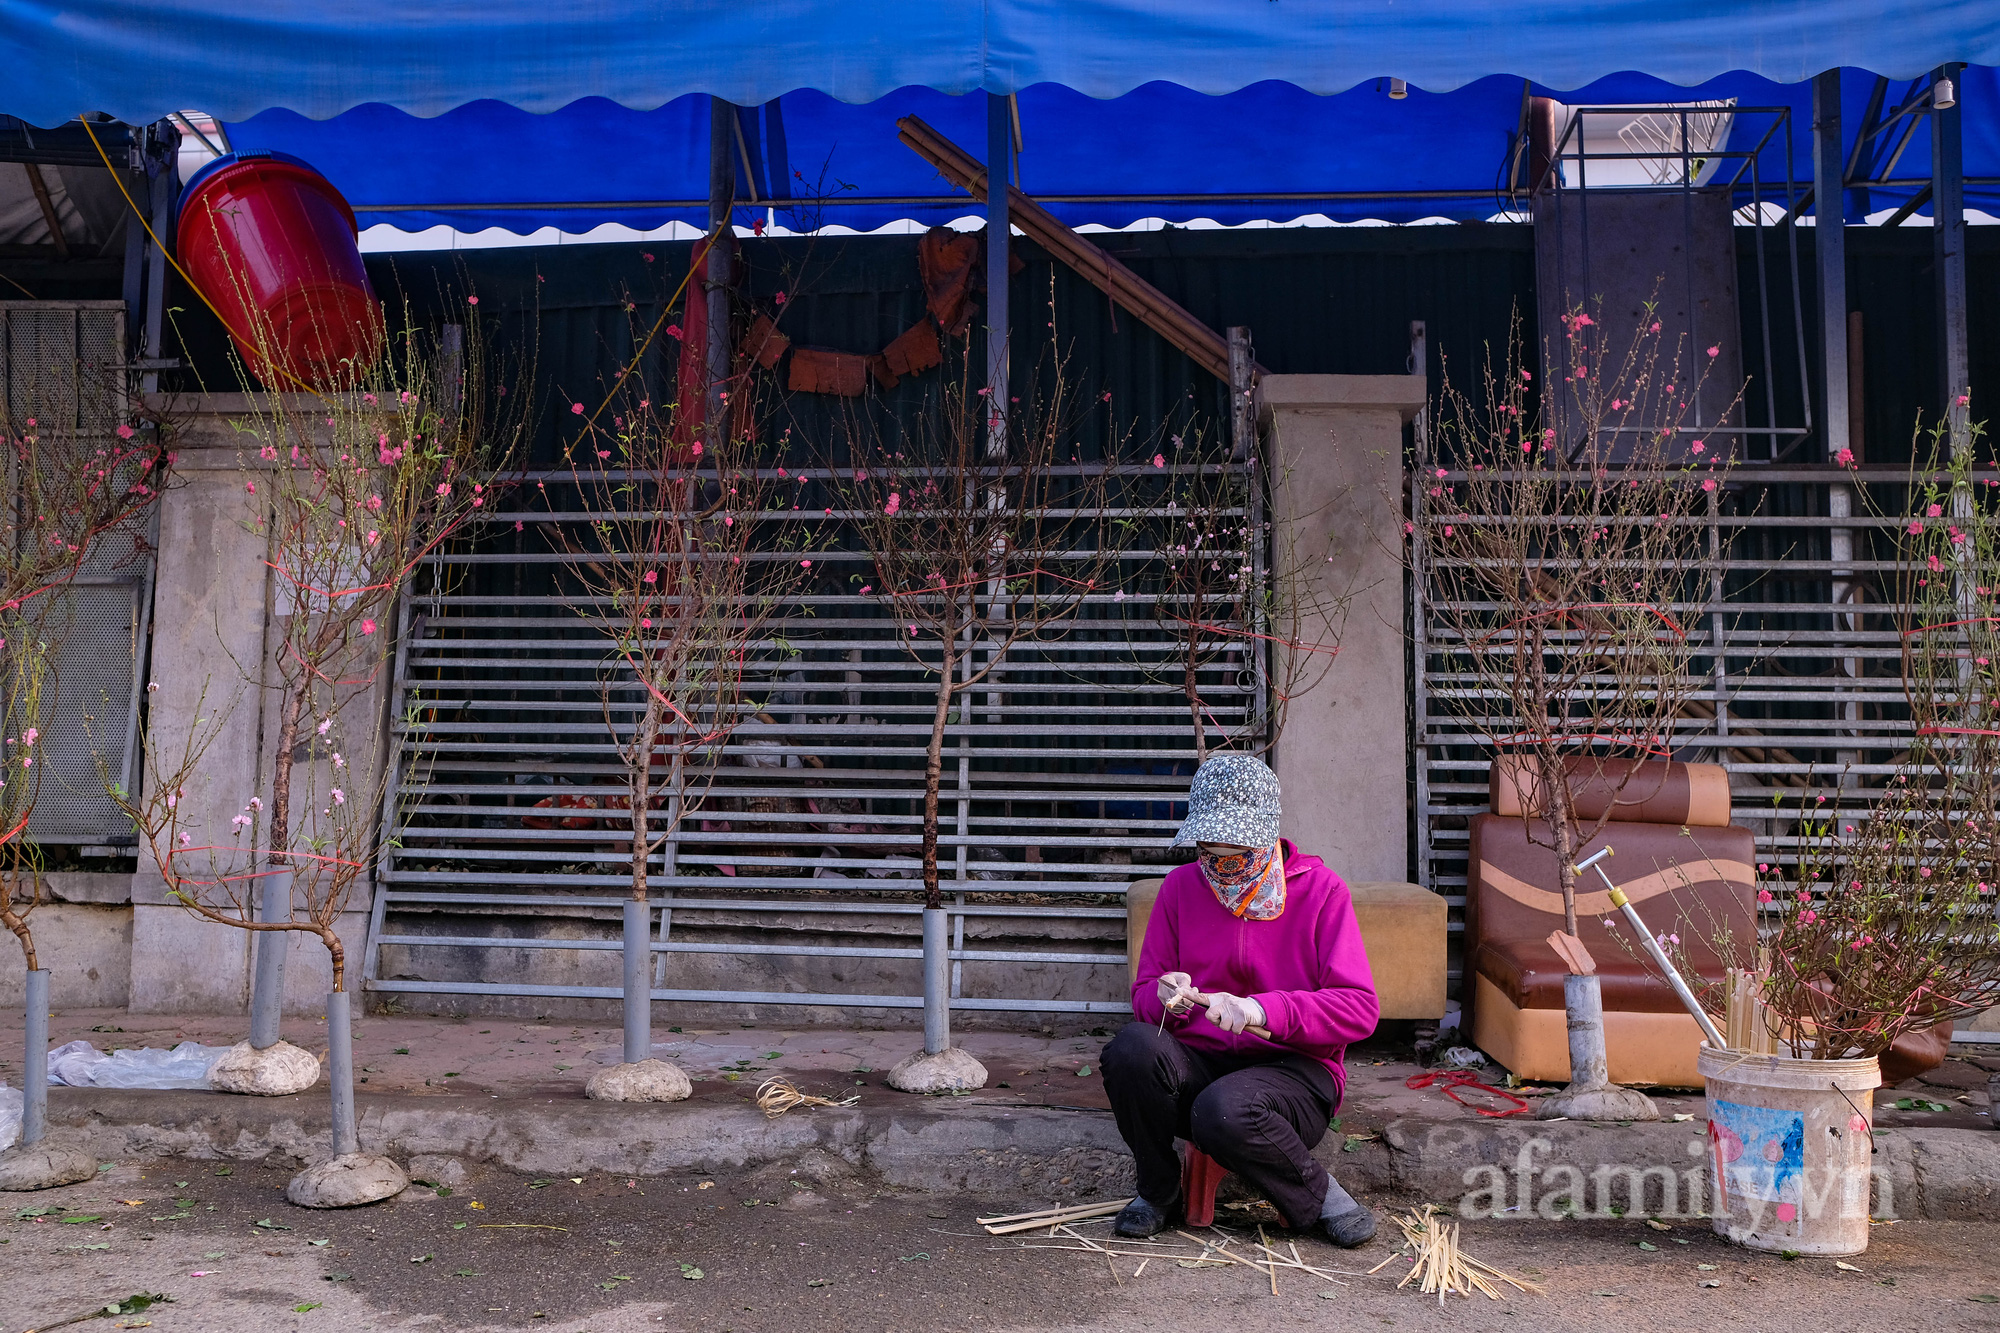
(1677, 858)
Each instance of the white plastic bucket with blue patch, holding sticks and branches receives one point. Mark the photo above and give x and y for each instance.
(1791, 1150)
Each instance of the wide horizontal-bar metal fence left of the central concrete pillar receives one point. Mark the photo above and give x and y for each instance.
(795, 876)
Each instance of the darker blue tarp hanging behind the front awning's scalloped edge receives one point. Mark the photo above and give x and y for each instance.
(1229, 159)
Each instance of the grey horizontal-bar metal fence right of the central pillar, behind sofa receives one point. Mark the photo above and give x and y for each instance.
(1799, 686)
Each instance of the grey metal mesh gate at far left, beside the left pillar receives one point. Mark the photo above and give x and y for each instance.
(63, 367)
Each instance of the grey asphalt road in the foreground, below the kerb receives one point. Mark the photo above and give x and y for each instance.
(819, 1248)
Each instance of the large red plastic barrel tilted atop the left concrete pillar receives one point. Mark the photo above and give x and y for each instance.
(271, 245)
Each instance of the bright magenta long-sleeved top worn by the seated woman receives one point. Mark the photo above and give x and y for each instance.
(1305, 968)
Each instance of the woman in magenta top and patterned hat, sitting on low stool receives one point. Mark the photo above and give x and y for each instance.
(1249, 990)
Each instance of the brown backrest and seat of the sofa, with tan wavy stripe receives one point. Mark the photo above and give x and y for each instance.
(1695, 886)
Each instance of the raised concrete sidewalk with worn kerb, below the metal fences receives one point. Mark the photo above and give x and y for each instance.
(447, 1094)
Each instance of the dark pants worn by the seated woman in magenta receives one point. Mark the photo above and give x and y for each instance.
(1259, 1120)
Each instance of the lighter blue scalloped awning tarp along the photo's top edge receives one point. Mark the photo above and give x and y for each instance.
(235, 59)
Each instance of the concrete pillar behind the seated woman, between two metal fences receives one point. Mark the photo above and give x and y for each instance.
(1335, 459)
